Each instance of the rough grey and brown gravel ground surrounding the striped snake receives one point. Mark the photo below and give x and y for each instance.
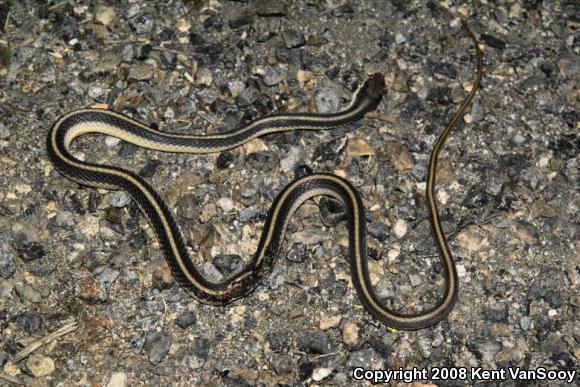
(507, 187)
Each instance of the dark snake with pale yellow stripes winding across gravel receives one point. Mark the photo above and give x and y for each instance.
(365, 99)
